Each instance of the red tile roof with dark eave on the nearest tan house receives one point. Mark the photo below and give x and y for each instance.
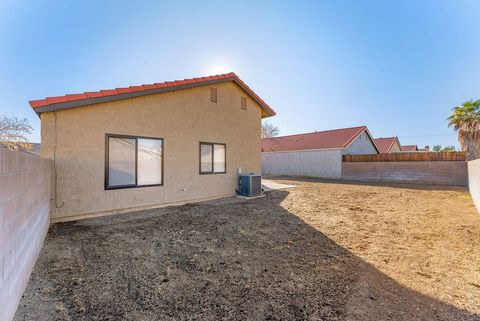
(88, 98)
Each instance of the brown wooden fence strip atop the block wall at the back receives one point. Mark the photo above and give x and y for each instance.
(408, 157)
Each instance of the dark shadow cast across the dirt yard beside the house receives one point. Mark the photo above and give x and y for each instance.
(231, 259)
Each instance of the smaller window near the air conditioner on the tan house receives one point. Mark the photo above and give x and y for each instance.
(212, 158)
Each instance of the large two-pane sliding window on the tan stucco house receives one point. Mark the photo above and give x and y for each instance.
(132, 161)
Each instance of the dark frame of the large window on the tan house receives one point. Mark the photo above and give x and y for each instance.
(106, 181)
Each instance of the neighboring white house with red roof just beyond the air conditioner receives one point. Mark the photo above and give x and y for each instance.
(317, 154)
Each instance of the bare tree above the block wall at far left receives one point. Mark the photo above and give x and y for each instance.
(14, 131)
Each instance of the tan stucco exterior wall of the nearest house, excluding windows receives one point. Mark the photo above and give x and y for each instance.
(183, 118)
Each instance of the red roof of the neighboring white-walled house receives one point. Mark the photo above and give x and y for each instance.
(328, 139)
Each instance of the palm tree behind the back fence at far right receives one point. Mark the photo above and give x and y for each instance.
(465, 119)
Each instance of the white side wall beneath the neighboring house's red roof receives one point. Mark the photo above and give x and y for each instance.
(315, 163)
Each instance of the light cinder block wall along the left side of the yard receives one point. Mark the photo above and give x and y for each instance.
(24, 221)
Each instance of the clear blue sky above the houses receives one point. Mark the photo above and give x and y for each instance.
(395, 66)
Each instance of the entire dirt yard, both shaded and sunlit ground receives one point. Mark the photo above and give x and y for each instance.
(320, 251)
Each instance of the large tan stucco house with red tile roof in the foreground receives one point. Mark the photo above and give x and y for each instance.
(151, 145)
